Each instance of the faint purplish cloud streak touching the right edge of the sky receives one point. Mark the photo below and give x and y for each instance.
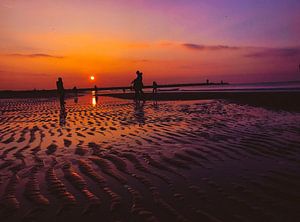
(275, 52)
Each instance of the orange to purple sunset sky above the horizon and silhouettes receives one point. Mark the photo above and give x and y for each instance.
(170, 41)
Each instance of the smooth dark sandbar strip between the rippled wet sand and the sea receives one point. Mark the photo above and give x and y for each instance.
(279, 100)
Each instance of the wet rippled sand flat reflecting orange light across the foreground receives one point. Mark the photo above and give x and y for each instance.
(113, 160)
